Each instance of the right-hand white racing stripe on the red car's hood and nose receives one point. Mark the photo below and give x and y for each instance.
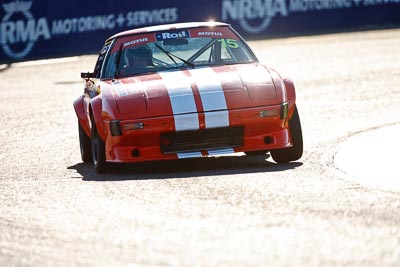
(212, 97)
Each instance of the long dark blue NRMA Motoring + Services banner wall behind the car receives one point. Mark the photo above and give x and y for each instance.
(33, 29)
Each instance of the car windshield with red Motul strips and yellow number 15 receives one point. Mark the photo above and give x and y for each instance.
(177, 49)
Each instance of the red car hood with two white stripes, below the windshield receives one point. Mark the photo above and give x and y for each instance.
(195, 90)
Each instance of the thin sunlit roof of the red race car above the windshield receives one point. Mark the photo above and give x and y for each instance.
(166, 27)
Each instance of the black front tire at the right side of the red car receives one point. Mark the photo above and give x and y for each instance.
(295, 152)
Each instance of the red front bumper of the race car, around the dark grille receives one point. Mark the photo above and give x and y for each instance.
(248, 130)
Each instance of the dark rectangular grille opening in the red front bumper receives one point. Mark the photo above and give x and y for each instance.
(204, 139)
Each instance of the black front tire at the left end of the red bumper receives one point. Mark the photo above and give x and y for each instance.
(98, 151)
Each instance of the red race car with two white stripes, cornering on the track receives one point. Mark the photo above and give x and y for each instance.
(181, 91)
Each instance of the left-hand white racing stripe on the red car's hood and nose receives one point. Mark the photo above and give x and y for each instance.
(182, 100)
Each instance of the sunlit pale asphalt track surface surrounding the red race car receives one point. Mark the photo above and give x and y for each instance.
(225, 211)
